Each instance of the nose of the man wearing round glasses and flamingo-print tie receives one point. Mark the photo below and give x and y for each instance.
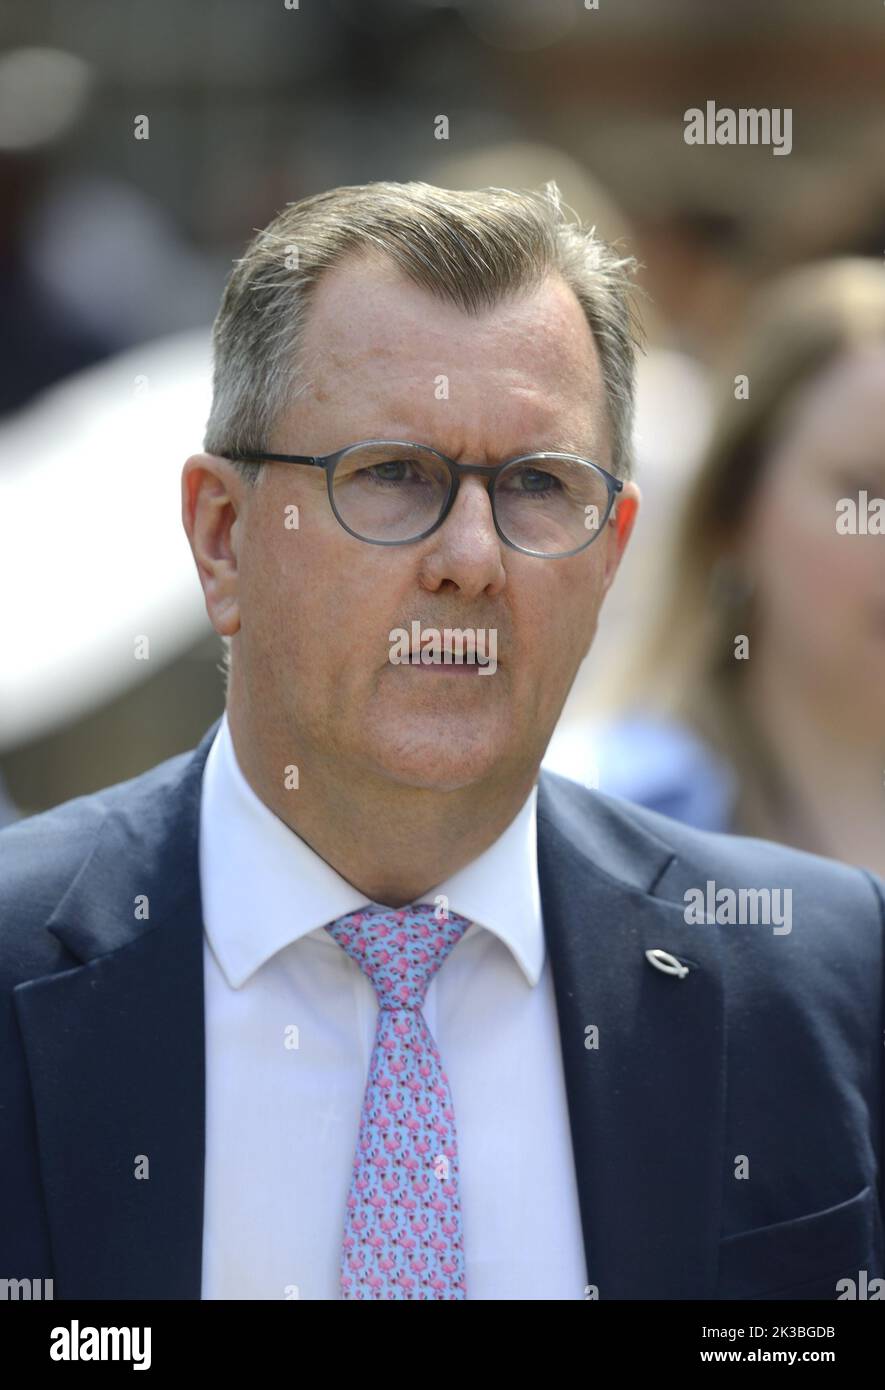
(466, 550)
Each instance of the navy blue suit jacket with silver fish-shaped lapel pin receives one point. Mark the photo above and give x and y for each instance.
(765, 1058)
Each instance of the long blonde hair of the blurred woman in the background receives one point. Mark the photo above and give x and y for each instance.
(684, 665)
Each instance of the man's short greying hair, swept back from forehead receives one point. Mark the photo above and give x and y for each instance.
(470, 248)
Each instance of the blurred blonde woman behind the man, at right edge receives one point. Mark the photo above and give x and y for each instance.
(756, 703)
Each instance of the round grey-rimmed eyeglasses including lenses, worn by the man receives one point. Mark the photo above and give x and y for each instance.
(395, 493)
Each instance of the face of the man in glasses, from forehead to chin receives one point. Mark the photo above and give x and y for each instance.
(317, 607)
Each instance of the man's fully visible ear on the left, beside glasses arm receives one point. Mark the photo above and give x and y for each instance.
(212, 496)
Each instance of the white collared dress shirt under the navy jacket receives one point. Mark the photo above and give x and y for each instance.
(283, 1120)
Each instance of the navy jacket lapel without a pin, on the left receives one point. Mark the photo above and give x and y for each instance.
(116, 1053)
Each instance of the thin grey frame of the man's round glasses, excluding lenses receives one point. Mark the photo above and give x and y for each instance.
(456, 472)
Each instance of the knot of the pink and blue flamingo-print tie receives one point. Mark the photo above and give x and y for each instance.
(401, 950)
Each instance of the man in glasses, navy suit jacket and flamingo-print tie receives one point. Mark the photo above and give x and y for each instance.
(351, 1001)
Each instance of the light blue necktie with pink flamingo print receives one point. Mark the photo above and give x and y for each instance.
(404, 1218)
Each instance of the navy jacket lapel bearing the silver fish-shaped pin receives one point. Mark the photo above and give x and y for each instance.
(648, 1104)
